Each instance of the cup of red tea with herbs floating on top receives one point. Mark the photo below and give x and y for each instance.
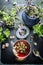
(21, 49)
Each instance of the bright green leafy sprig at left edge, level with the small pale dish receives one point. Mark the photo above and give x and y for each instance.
(4, 34)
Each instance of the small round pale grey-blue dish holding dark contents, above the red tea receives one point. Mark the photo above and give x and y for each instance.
(22, 32)
